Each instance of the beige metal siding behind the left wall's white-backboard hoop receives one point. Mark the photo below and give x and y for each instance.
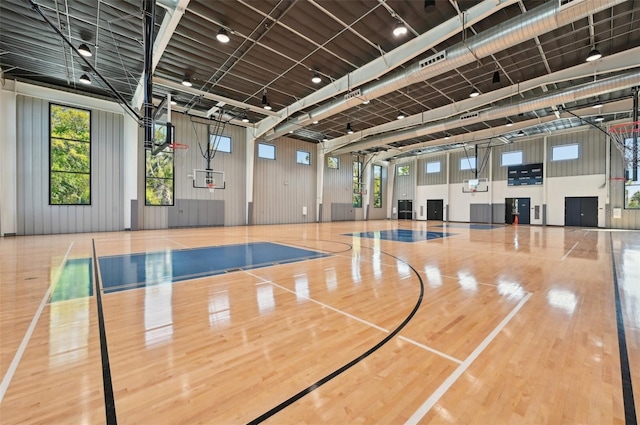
(195, 132)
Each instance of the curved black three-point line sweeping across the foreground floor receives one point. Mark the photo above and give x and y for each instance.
(353, 362)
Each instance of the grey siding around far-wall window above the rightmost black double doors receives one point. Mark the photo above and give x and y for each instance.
(591, 159)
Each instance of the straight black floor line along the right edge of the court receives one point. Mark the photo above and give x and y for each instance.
(625, 371)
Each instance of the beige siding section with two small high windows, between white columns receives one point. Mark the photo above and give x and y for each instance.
(282, 186)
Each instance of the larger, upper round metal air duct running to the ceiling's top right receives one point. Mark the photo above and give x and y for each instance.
(519, 29)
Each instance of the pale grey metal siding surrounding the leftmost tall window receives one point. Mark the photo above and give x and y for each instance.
(35, 215)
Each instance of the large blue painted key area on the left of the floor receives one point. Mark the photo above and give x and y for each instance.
(129, 271)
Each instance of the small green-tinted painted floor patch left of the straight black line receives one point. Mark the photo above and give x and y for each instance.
(75, 281)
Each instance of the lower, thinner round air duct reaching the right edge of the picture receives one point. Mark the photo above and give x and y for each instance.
(573, 94)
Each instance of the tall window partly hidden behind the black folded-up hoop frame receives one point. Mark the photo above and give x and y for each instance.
(159, 173)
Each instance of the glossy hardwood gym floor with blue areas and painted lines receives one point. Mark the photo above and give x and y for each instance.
(356, 322)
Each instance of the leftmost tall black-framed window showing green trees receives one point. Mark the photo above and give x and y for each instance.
(69, 156)
